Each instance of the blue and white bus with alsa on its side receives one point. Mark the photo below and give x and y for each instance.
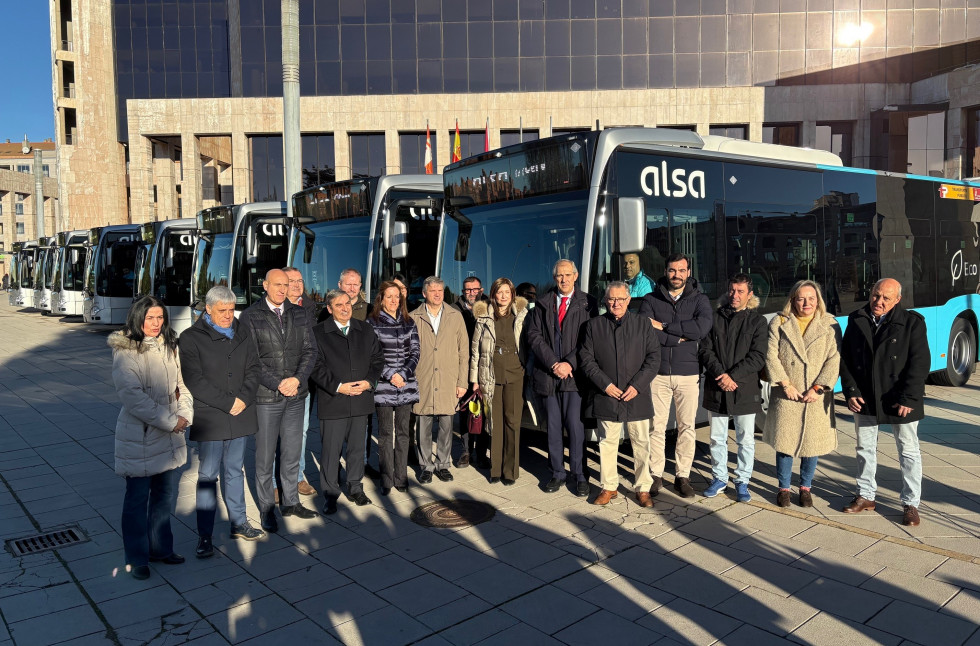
(777, 213)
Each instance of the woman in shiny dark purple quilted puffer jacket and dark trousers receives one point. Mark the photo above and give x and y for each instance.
(397, 390)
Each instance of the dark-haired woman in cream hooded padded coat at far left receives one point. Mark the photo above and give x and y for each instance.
(156, 410)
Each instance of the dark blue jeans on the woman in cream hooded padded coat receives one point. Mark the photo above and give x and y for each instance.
(146, 517)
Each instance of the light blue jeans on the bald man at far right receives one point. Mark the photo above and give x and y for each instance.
(909, 458)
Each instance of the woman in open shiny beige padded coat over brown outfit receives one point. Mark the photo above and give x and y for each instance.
(497, 374)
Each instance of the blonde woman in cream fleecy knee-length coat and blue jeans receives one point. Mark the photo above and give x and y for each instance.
(803, 361)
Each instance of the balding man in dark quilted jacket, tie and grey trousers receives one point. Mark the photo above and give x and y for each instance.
(284, 342)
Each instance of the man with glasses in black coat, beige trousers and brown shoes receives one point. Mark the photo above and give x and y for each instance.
(620, 355)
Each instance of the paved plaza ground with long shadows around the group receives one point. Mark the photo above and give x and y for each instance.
(547, 569)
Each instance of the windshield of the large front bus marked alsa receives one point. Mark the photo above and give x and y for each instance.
(520, 240)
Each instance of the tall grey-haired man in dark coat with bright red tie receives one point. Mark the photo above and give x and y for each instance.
(553, 334)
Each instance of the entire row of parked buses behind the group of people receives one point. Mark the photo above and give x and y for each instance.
(779, 214)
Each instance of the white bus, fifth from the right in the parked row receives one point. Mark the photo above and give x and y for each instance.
(110, 271)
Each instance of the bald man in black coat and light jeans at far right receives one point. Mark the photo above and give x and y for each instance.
(884, 364)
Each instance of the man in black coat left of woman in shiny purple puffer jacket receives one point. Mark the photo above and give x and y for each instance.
(349, 364)
